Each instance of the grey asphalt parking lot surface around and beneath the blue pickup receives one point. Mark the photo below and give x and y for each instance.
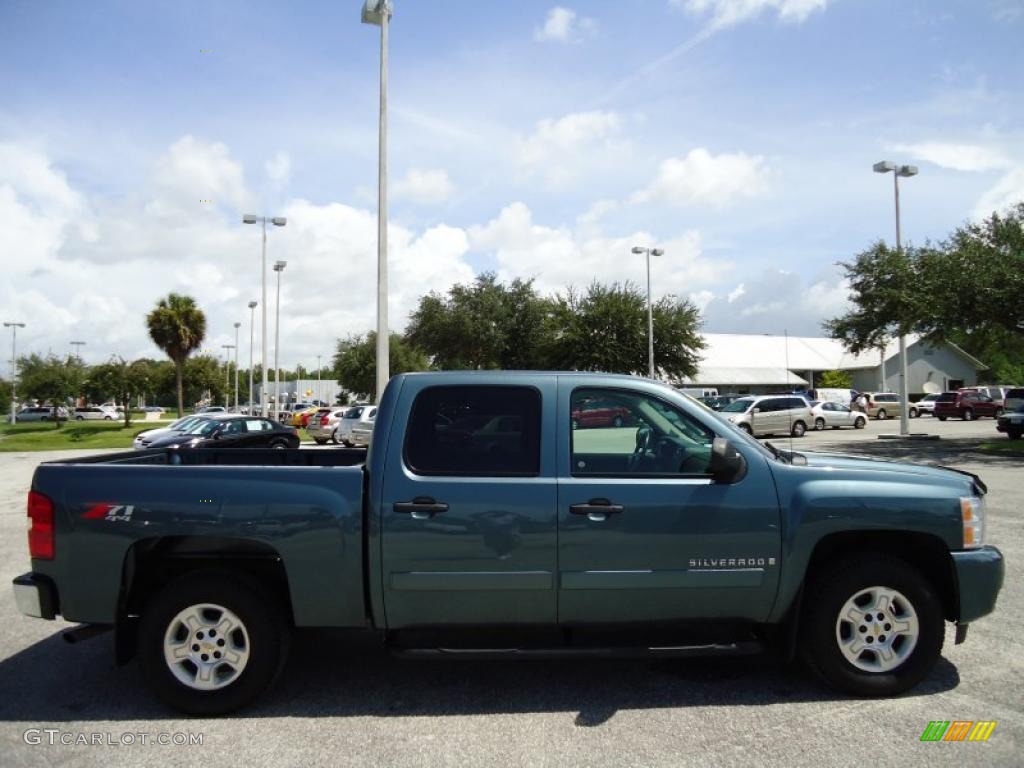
(344, 701)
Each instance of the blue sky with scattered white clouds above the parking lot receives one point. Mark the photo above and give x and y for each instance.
(534, 139)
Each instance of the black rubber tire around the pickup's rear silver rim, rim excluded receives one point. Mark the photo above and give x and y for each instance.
(267, 642)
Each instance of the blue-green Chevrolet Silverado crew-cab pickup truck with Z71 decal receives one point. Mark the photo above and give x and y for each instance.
(513, 515)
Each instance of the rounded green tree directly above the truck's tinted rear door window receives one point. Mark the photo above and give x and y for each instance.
(485, 325)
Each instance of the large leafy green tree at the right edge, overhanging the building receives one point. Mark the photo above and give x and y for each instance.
(970, 284)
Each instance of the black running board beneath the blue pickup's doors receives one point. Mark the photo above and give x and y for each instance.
(743, 649)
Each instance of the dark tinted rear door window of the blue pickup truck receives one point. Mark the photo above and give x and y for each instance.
(491, 432)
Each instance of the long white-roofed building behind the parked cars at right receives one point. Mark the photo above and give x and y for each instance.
(751, 364)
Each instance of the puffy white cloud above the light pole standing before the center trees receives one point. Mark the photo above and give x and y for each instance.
(705, 179)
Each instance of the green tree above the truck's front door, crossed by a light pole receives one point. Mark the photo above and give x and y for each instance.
(606, 329)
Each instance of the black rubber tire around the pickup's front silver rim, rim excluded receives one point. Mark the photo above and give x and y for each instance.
(829, 593)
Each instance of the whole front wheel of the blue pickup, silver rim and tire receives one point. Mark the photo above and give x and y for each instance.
(873, 626)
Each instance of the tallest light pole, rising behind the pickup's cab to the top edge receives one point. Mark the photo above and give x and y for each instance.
(379, 13)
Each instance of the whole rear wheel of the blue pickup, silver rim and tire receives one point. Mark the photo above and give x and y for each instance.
(210, 643)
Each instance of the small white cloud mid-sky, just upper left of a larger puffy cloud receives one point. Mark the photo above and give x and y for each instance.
(564, 149)
